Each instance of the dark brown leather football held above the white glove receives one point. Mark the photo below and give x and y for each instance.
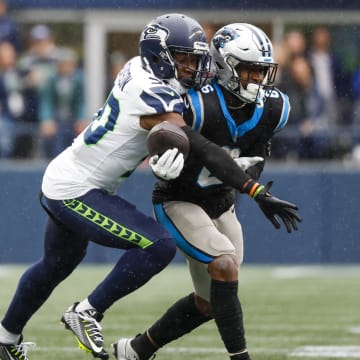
(166, 135)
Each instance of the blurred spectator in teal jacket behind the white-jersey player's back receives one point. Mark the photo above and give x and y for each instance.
(62, 105)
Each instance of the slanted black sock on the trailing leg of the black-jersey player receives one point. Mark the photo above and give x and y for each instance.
(179, 319)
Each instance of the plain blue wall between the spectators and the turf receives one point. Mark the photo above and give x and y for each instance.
(328, 198)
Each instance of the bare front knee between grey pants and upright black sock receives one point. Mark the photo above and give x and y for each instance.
(224, 268)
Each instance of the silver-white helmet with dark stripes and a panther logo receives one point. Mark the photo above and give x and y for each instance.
(247, 45)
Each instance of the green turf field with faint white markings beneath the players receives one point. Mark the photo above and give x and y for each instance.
(290, 313)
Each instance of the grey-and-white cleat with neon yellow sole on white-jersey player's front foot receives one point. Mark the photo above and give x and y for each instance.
(87, 330)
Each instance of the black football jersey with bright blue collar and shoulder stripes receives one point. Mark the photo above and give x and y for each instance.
(241, 132)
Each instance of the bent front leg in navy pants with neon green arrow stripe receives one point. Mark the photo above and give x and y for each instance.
(114, 222)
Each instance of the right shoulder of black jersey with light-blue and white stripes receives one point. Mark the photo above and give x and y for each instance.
(280, 108)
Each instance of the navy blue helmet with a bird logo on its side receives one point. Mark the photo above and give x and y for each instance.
(168, 35)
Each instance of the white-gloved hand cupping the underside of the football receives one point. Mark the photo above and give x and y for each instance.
(169, 165)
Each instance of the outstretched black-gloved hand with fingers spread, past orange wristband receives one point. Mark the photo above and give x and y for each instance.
(275, 209)
